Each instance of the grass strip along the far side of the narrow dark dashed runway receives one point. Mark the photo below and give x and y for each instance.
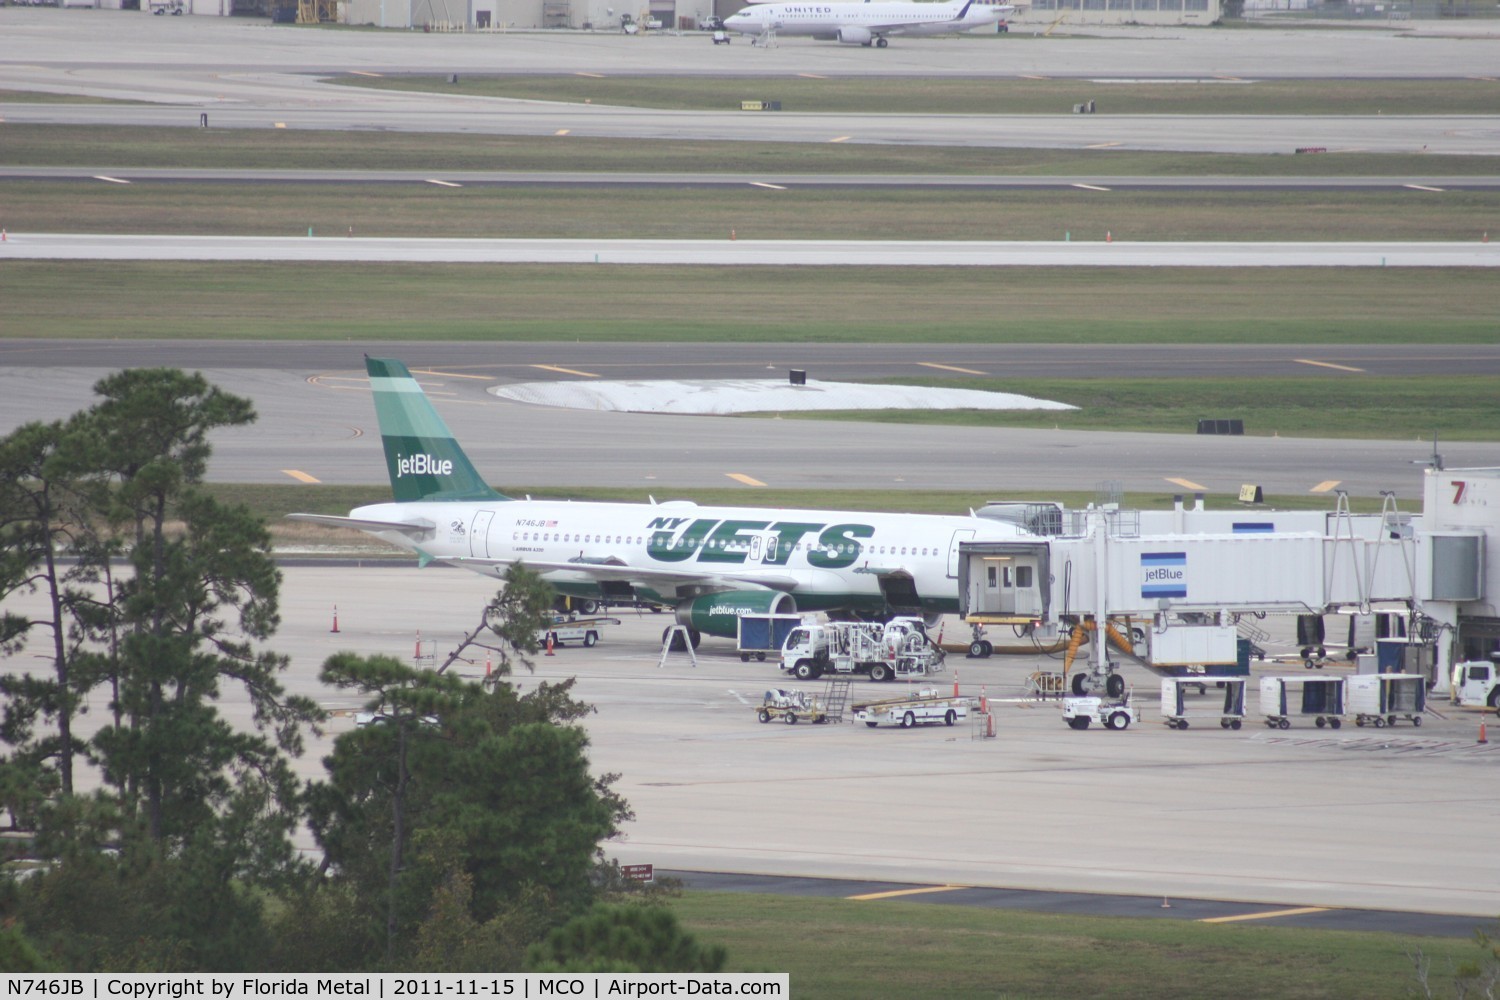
(292, 149)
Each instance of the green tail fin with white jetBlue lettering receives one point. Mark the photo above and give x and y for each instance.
(424, 460)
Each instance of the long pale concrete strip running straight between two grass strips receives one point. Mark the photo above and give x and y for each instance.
(58, 247)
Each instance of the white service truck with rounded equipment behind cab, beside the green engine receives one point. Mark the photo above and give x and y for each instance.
(898, 648)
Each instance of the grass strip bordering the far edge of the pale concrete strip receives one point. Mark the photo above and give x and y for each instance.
(752, 214)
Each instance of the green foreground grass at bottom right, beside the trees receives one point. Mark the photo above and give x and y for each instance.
(893, 950)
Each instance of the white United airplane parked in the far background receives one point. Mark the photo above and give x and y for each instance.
(865, 23)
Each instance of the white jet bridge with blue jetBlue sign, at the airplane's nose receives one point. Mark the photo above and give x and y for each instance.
(1145, 576)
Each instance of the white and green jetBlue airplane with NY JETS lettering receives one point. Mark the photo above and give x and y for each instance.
(709, 563)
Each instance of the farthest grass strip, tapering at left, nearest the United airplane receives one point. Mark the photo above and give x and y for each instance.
(985, 95)
